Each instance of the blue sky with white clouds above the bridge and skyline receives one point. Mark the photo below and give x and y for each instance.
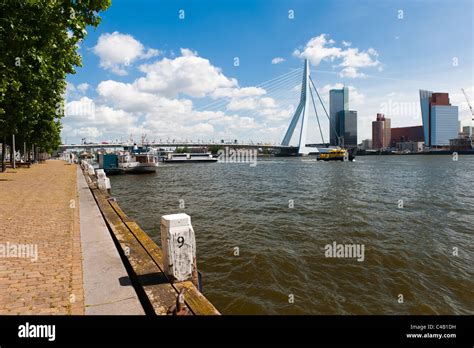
(228, 69)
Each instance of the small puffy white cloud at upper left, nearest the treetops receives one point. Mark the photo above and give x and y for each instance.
(117, 51)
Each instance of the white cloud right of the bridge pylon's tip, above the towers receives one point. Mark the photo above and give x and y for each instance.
(319, 49)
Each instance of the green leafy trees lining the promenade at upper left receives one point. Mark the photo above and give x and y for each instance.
(39, 46)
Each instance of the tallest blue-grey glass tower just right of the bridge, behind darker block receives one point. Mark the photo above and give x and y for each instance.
(338, 101)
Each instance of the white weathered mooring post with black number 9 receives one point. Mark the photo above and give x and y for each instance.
(179, 248)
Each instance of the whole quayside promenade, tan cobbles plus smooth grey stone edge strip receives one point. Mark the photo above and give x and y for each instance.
(56, 253)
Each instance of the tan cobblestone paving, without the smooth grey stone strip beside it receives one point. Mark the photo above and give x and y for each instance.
(40, 250)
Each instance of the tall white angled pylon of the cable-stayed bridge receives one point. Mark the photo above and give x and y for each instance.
(302, 111)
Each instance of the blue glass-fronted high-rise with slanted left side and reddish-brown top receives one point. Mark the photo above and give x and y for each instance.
(440, 118)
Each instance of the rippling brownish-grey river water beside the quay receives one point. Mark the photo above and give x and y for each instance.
(408, 250)
